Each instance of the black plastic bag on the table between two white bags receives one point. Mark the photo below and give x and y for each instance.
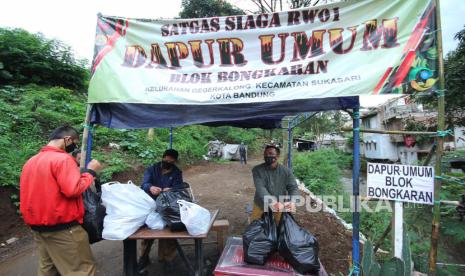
(168, 207)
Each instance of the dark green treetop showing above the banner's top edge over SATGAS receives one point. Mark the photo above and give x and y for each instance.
(207, 8)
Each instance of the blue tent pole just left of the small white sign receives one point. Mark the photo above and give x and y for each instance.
(356, 193)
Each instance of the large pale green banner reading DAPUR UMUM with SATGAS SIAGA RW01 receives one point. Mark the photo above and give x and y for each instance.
(349, 48)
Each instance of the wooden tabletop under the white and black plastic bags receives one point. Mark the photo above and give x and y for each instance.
(146, 233)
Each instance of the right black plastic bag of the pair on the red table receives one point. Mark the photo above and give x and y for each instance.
(297, 246)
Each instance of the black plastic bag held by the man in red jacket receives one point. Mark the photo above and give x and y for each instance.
(93, 215)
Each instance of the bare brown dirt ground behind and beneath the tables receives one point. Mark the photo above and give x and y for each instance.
(227, 186)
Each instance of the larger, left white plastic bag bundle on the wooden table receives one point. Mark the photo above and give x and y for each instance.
(127, 209)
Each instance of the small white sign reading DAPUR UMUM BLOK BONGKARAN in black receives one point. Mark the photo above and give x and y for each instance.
(401, 183)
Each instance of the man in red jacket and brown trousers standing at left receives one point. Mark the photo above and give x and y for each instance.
(51, 188)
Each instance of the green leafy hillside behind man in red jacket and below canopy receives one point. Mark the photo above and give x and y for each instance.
(30, 113)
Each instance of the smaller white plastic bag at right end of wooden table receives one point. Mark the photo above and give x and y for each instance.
(195, 217)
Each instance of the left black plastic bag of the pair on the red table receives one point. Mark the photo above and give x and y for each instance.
(260, 239)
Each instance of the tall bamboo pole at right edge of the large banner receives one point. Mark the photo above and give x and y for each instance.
(439, 151)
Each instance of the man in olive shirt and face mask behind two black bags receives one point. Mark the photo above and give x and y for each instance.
(272, 180)
